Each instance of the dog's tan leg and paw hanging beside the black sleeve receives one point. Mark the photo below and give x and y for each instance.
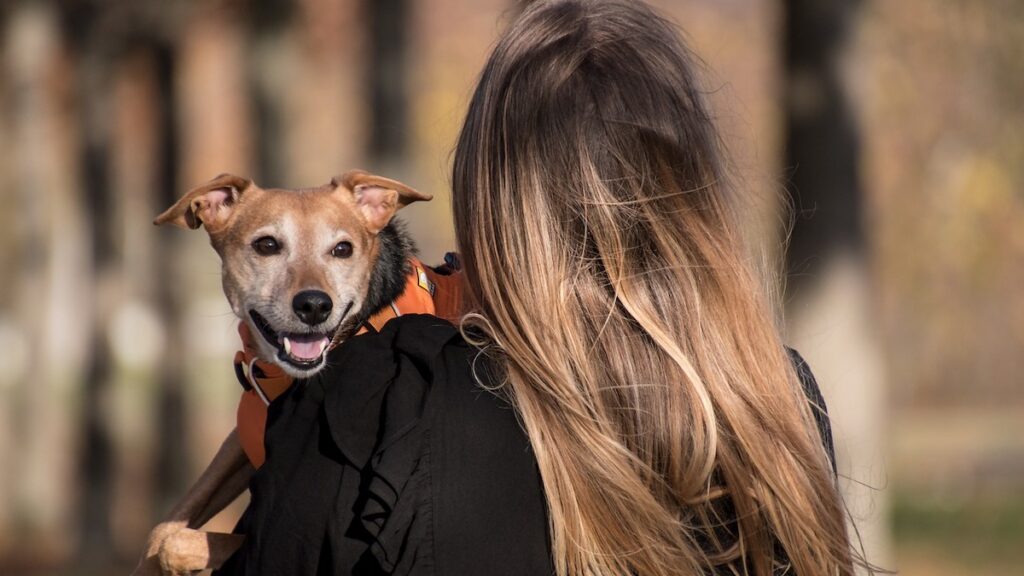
(226, 478)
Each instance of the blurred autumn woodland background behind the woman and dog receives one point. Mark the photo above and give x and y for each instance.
(894, 130)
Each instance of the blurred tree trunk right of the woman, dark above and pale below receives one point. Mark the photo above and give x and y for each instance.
(831, 302)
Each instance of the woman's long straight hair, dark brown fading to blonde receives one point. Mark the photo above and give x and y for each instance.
(607, 274)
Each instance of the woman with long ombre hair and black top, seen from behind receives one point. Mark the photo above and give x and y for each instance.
(619, 400)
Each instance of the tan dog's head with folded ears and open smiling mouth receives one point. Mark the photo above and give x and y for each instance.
(296, 264)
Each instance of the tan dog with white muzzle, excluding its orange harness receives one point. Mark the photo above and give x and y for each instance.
(303, 269)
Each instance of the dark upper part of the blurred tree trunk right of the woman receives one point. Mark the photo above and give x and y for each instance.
(823, 141)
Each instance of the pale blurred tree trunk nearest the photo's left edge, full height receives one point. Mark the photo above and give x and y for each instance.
(39, 207)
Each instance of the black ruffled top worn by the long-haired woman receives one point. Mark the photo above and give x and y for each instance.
(394, 461)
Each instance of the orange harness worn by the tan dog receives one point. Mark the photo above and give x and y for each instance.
(428, 292)
